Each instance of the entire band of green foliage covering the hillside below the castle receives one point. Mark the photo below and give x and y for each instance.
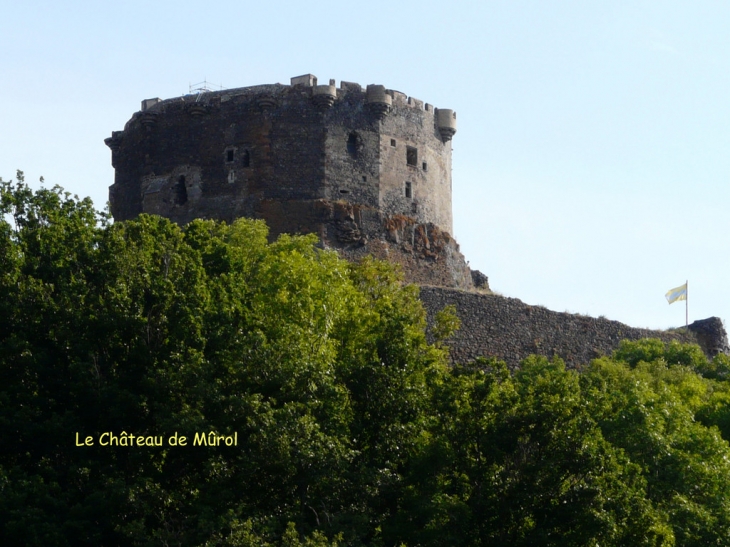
(349, 427)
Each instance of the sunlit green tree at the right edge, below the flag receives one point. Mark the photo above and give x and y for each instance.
(648, 411)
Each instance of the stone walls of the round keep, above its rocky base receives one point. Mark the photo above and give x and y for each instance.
(226, 154)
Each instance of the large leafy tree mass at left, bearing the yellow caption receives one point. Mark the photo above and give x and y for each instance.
(144, 327)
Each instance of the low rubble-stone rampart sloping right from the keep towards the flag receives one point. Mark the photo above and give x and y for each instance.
(511, 330)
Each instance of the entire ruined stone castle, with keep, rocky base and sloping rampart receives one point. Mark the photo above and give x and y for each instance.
(368, 171)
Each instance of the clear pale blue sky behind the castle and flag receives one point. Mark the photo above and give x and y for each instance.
(590, 167)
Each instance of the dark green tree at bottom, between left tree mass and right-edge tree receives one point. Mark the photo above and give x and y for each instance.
(521, 461)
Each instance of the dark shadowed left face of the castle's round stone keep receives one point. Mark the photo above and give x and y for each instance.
(217, 155)
